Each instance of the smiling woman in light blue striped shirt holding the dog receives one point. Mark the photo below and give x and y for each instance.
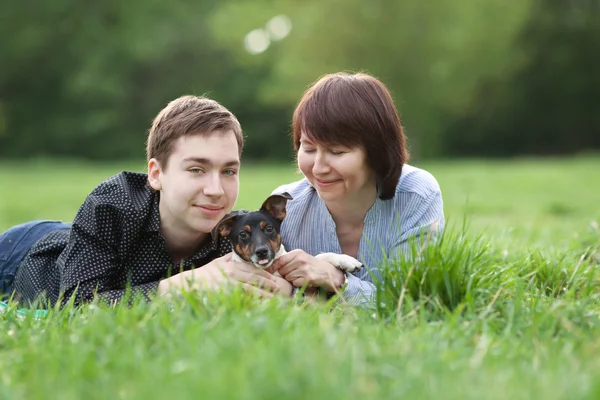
(358, 195)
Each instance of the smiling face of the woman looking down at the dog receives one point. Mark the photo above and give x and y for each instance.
(336, 172)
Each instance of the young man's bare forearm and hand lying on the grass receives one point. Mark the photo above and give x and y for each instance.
(222, 272)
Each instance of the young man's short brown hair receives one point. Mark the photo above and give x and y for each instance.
(188, 115)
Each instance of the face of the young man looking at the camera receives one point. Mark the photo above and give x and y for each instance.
(200, 184)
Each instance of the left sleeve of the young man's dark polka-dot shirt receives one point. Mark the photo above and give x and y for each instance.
(92, 263)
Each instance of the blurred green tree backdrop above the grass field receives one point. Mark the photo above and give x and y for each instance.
(495, 78)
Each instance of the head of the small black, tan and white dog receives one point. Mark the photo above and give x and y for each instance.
(255, 235)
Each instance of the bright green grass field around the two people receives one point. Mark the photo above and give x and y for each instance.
(510, 310)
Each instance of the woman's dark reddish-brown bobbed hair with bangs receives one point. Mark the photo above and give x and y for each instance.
(355, 110)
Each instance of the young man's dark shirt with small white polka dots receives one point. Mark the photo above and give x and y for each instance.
(114, 240)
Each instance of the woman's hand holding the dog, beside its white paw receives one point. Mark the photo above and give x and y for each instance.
(300, 268)
